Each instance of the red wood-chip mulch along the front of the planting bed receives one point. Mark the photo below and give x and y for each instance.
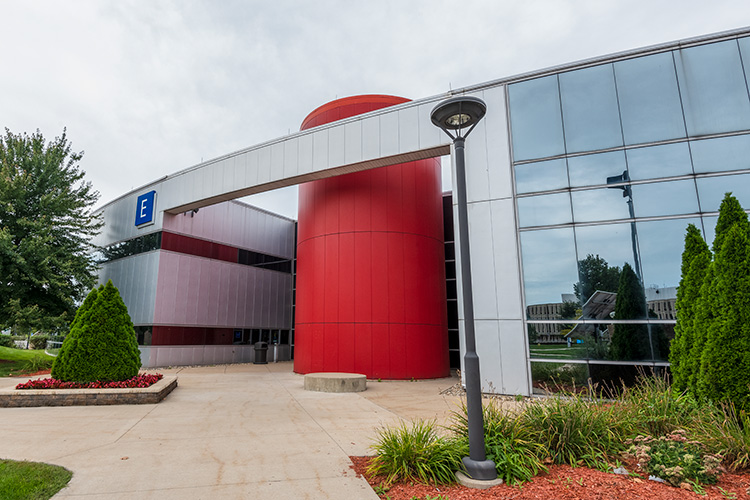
(566, 483)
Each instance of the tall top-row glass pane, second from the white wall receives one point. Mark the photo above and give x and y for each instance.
(590, 115)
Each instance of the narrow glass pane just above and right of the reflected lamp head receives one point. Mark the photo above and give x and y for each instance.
(659, 161)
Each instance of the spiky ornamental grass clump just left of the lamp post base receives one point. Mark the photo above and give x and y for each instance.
(416, 452)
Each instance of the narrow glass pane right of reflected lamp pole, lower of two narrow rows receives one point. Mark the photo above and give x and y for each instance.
(665, 198)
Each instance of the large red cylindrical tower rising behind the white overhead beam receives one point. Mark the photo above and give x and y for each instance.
(371, 266)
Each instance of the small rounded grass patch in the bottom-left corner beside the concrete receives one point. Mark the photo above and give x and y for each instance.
(31, 480)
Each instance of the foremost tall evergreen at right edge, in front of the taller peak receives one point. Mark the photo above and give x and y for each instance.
(725, 361)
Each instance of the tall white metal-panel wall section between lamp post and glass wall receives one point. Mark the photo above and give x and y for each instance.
(500, 337)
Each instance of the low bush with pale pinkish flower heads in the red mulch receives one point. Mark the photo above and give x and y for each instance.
(675, 459)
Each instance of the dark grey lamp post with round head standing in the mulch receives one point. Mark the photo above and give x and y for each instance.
(457, 114)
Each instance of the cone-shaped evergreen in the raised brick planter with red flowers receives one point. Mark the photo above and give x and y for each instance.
(102, 344)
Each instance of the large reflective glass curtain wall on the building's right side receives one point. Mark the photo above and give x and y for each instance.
(611, 164)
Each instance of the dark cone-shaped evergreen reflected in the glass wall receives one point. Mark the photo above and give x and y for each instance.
(630, 341)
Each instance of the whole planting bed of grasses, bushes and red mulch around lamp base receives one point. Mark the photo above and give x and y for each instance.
(647, 441)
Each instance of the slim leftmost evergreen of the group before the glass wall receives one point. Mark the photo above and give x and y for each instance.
(695, 261)
